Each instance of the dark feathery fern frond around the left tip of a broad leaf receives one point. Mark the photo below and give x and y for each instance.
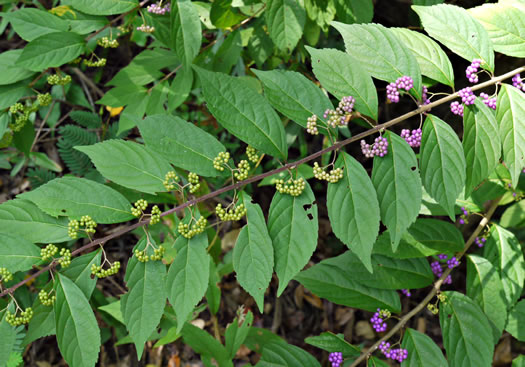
(71, 136)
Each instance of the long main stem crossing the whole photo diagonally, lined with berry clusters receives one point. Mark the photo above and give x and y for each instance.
(285, 167)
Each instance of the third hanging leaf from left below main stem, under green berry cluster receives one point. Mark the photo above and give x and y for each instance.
(188, 276)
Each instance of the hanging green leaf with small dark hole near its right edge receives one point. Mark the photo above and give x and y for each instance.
(398, 185)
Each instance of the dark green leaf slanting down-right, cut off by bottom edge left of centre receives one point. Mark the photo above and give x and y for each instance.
(204, 344)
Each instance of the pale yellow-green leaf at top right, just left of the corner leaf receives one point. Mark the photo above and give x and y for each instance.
(459, 31)
